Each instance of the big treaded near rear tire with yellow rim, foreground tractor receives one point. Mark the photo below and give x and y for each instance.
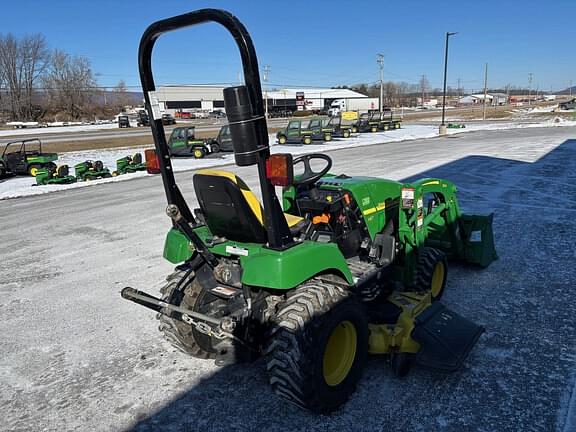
(317, 347)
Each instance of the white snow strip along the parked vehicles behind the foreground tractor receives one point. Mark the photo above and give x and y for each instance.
(24, 186)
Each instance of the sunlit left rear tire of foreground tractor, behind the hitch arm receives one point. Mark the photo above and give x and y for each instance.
(183, 290)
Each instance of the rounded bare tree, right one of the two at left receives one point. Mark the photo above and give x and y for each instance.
(70, 84)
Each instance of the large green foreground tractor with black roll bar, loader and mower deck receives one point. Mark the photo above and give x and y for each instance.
(350, 266)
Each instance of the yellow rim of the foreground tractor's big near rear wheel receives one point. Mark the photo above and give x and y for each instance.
(339, 353)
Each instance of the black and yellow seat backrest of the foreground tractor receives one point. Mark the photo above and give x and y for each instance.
(230, 208)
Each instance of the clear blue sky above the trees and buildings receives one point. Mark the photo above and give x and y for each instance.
(319, 43)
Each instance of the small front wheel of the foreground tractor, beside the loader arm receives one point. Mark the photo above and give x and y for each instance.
(431, 272)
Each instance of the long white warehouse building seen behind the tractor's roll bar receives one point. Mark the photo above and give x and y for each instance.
(204, 98)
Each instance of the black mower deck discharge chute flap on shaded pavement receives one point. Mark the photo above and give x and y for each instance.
(445, 337)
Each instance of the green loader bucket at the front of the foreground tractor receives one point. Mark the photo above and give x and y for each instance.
(478, 239)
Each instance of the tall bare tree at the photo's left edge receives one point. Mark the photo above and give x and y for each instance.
(22, 62)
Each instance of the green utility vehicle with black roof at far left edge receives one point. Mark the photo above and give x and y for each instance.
(25, 158)
